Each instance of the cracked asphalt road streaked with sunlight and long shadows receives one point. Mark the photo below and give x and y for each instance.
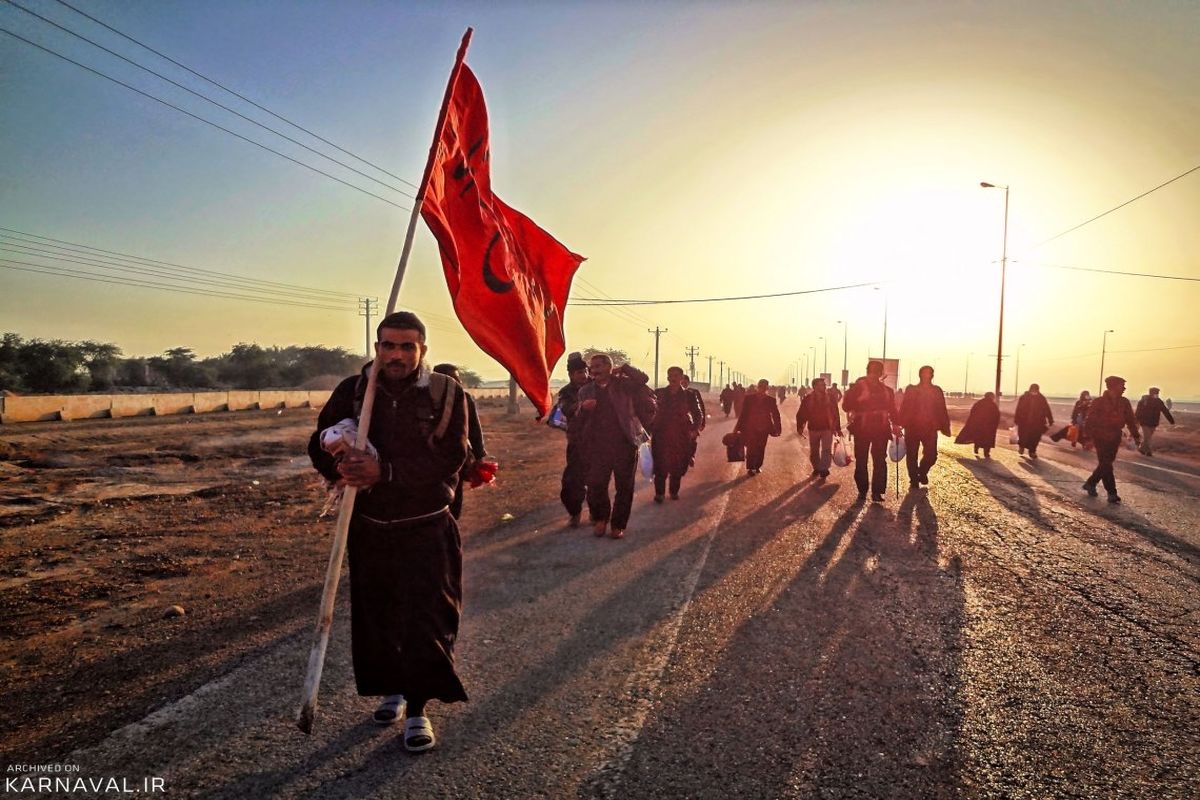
(999, 635)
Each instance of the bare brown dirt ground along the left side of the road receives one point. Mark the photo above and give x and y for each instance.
(109, 525)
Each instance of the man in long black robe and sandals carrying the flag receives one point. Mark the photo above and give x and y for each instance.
(405, 550)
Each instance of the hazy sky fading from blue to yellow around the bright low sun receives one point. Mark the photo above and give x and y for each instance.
(687, 149)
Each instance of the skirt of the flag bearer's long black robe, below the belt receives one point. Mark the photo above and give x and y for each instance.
(406, 600)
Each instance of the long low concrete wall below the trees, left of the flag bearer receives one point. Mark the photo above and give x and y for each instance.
(83, 407)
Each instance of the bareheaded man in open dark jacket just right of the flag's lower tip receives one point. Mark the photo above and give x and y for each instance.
(611, 434)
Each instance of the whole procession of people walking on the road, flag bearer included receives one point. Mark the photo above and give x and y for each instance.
(425, 442)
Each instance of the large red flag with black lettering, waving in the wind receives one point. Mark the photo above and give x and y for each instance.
(509, 279)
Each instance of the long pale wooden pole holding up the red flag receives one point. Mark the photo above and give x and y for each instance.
(308, 712)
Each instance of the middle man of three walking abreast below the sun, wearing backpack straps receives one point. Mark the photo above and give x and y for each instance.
(872, 408)
